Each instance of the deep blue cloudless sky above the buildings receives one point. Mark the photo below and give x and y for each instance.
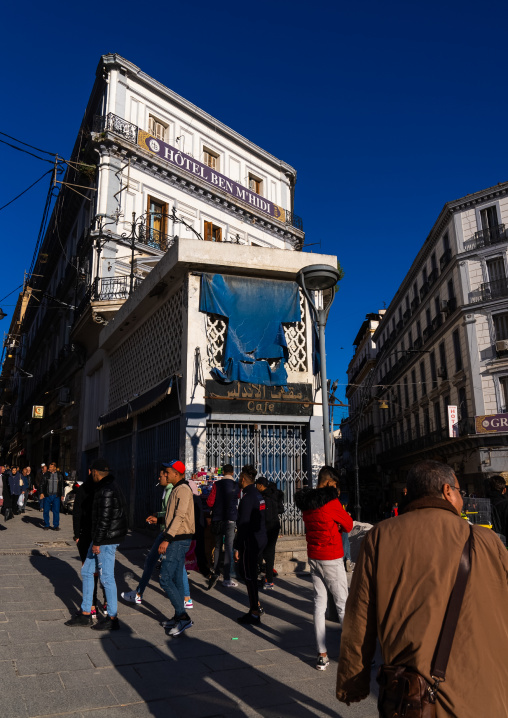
(387, 111)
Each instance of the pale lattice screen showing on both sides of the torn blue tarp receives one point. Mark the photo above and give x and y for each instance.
(216, 330)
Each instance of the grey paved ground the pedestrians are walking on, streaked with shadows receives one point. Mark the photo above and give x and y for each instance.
(48, 669)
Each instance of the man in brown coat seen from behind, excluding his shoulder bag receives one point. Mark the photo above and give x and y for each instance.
(401, 586)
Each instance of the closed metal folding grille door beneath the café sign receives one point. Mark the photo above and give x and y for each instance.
(278, 451)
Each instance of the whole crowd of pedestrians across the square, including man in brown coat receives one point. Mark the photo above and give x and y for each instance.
(428, 587)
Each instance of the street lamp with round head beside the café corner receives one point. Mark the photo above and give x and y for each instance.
(318, 278)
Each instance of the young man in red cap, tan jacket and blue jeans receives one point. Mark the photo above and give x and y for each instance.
(179, 531)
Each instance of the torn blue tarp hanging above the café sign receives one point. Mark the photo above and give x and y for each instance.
(255, 310)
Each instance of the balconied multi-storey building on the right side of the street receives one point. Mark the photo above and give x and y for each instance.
(443, 342)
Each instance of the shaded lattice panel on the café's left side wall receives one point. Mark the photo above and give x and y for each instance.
(152, 353)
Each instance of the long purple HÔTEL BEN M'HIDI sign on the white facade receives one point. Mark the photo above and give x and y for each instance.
(215, 179)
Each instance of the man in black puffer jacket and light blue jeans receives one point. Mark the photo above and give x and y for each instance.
(109, 527)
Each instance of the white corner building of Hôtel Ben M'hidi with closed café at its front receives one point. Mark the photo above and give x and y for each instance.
(111, 336)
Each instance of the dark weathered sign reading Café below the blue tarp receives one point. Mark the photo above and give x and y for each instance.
(258, 399)
